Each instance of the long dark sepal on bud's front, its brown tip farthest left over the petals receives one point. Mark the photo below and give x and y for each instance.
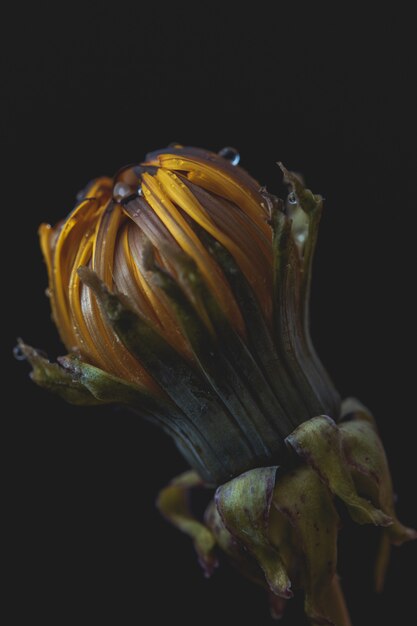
(200, 412)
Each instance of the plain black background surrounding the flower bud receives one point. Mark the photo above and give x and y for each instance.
(330, 93)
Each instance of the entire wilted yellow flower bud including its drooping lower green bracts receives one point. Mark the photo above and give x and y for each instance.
(180, 288)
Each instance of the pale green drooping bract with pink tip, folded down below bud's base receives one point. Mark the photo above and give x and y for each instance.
(244, 504)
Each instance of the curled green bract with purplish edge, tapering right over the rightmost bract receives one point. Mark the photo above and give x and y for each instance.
(319, 443)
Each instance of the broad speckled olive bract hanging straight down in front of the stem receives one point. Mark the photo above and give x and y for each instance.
(308, 505)
